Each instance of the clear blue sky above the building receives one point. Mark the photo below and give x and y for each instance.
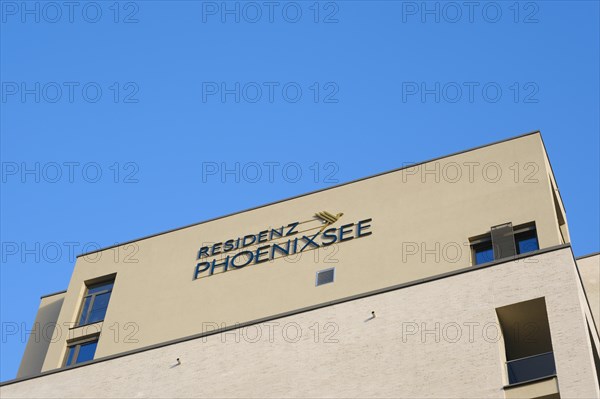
(161, 116)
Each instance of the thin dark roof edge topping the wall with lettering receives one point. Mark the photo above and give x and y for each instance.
(312, 192)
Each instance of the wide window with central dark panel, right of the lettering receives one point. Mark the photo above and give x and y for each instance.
(504, 241)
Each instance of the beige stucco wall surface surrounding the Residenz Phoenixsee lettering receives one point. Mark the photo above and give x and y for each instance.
(415, 206)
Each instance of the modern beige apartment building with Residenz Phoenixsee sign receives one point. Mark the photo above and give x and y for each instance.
(450, 278)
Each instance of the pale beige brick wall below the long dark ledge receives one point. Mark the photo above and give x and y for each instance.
(369, 357)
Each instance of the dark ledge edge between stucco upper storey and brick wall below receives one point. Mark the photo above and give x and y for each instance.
(296, 311)
